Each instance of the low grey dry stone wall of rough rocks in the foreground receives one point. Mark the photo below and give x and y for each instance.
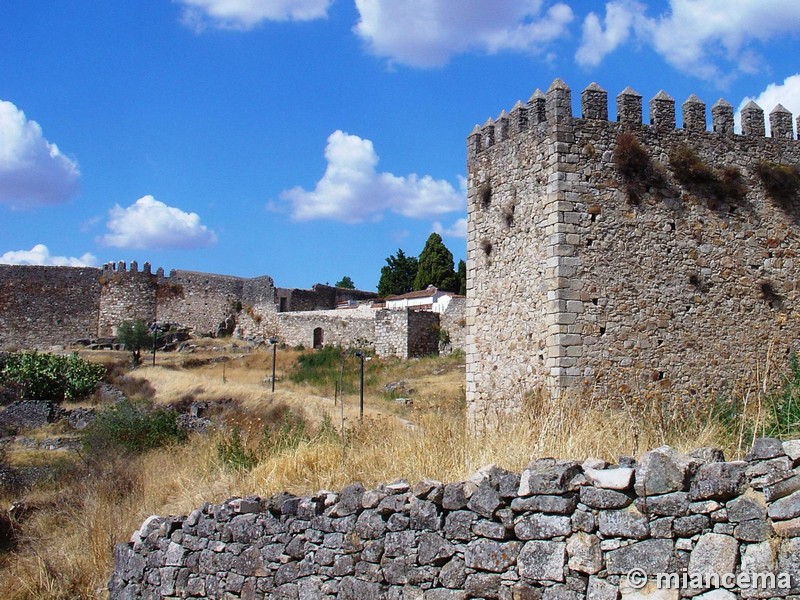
(561, 530)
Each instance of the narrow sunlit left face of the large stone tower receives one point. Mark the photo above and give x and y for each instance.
(507, 313)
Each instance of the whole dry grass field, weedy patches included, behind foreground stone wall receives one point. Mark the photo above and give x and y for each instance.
(70, 522)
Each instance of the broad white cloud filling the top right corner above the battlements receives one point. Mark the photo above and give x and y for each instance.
(699, 37)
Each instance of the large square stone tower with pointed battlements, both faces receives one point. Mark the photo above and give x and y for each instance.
(627, 258)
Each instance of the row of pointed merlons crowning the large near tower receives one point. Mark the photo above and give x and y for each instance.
(555, 108)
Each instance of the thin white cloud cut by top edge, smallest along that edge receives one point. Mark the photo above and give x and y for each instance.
(246, 14)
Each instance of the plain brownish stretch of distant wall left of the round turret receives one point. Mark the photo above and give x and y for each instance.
(41, 307)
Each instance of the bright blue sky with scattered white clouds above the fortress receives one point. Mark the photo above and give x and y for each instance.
(310, 139)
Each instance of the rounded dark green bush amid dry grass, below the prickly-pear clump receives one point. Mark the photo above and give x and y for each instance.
(131, 427)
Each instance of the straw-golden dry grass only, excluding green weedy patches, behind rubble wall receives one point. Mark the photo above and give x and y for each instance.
(69, 532)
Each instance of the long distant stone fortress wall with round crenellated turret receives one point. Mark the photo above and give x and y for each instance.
(49, 307)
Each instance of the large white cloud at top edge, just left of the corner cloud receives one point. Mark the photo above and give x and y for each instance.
(426, 33)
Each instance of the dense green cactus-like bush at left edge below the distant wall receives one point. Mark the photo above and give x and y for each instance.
(55, 377)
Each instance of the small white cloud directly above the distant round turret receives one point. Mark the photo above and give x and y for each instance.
(150, 224)
